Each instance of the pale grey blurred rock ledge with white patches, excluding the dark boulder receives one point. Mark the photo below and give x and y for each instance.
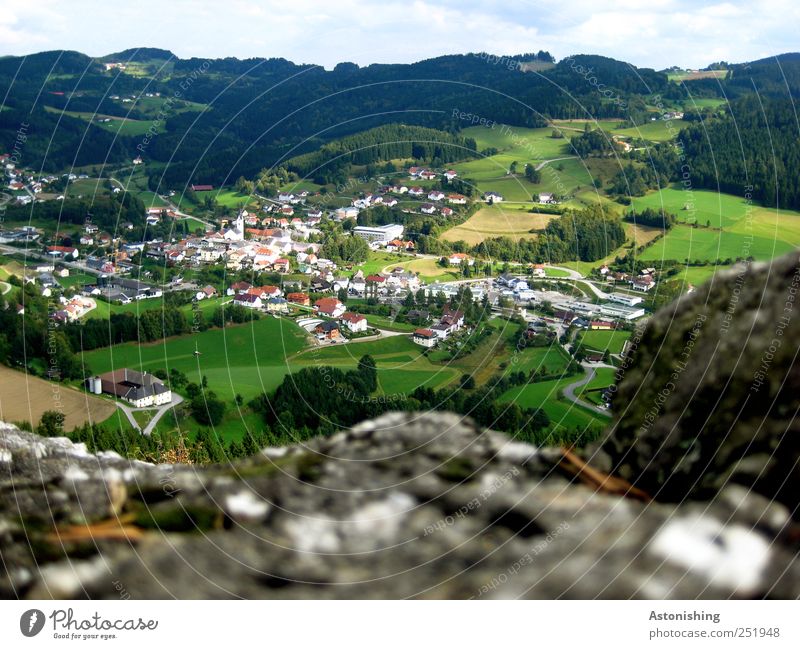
(408, 505)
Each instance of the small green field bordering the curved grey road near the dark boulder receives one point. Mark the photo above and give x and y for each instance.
(563, 414)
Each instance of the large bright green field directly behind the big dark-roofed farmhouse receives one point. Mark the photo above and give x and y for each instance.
(245, 359)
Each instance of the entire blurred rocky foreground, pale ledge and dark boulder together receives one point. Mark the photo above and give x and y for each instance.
(431, 506)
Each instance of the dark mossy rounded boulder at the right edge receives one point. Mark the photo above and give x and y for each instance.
(709, 395)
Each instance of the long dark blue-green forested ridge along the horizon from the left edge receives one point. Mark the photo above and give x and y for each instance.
(230, 117)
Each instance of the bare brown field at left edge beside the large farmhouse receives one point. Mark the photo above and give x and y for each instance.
(25, 398)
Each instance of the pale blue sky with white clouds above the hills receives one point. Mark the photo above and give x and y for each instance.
(651, 33)
